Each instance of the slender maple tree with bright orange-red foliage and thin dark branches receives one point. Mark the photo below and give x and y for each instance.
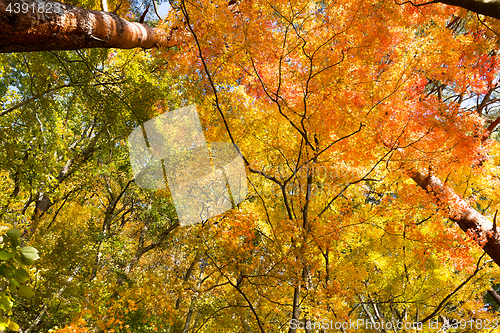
(293, 78)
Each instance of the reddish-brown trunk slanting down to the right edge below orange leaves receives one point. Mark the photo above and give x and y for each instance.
(459, 211)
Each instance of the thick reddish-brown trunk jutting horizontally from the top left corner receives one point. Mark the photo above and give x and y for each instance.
(48, 25)
